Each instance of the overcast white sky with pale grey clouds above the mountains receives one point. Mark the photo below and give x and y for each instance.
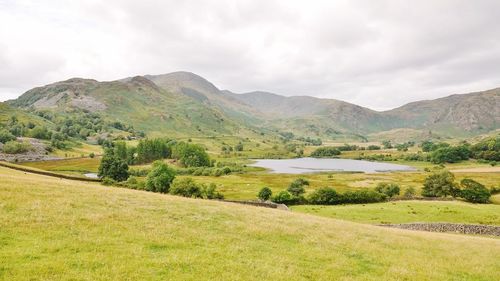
(378, 54)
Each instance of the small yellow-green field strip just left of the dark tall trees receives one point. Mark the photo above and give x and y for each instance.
(72, 166)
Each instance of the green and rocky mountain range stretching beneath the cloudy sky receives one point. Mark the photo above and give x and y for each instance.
(185, 104)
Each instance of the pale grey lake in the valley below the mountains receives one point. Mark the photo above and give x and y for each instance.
(312, 165)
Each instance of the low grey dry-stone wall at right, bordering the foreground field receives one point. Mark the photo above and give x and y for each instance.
(450, 227)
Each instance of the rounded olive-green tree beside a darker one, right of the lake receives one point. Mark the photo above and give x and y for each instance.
(440, 184)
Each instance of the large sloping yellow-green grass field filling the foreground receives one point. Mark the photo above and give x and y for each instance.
(53, 229)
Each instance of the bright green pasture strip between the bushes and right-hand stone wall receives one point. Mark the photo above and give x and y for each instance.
(409, 211)
